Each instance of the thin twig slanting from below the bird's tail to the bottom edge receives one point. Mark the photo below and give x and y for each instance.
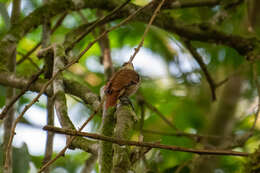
(70, 140)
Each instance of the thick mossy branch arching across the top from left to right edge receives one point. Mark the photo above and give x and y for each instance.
(199, 32)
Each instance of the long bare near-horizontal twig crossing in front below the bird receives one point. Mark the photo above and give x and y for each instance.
(144, 144)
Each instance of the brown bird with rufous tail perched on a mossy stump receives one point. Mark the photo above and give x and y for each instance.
(123, 83)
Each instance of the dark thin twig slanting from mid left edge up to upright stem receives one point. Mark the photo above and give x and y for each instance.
(26, 88)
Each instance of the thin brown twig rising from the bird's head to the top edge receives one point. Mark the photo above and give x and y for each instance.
(146, 30)
